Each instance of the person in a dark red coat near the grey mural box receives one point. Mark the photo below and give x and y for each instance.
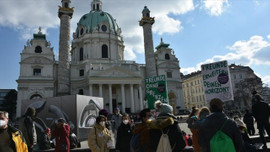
(61, 133)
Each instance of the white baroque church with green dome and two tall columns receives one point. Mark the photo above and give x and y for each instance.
(95, 63)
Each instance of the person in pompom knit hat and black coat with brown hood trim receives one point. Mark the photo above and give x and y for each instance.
(165, 123)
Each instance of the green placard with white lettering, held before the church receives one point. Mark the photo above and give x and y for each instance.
(156, 89)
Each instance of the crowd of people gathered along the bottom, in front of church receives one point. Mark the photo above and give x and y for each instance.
(158, 131)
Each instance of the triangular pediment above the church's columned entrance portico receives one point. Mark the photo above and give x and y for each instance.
(116, 72)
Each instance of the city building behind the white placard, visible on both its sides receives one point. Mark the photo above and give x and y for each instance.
(243, 80)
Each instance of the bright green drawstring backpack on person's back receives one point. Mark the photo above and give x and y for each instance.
(221, 142)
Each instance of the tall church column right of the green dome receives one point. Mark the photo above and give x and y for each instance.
(146, 22)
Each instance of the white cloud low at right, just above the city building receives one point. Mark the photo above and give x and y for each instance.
(255, 51)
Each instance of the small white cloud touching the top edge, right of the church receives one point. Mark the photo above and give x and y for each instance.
(215, 7)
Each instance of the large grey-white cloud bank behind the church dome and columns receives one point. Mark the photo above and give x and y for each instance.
(27, 16)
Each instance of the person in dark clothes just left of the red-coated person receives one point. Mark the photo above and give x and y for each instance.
(46, 140)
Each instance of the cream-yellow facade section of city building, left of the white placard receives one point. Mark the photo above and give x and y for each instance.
(193, 90)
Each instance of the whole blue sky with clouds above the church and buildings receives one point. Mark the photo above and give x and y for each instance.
(199, 31)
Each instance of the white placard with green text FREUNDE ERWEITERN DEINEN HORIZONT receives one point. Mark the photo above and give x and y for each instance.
(217, 81)
